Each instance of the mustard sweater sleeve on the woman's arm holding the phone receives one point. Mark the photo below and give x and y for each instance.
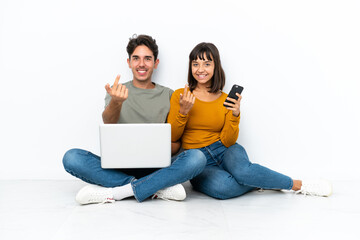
(230, 131)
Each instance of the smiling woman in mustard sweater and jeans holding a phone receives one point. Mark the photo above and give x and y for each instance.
(199, 119)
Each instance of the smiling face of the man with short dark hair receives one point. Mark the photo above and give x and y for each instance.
(142, 63)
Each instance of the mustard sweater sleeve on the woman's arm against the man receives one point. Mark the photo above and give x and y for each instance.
(177, 120)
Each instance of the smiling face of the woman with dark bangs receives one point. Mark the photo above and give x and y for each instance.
(203, 70)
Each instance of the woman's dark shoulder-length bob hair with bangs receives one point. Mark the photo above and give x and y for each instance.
(211, 52)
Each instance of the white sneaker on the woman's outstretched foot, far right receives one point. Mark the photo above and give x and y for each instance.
(322, 188)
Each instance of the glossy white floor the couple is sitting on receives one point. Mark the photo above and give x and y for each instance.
(47, 210)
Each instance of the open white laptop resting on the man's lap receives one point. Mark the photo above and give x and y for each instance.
(135, 145)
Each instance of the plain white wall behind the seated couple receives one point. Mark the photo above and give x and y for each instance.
(297, 60)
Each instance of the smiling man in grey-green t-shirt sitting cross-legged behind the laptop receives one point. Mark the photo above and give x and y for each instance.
(136, 101)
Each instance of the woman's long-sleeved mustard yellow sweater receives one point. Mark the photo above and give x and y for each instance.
(206, 123)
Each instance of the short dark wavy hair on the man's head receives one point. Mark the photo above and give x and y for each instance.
(138, 40)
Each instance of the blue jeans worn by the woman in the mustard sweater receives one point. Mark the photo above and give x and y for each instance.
(229, 173)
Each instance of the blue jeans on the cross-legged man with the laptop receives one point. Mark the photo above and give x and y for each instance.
(145, 182)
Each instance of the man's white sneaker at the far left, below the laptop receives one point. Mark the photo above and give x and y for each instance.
(94, 194)
